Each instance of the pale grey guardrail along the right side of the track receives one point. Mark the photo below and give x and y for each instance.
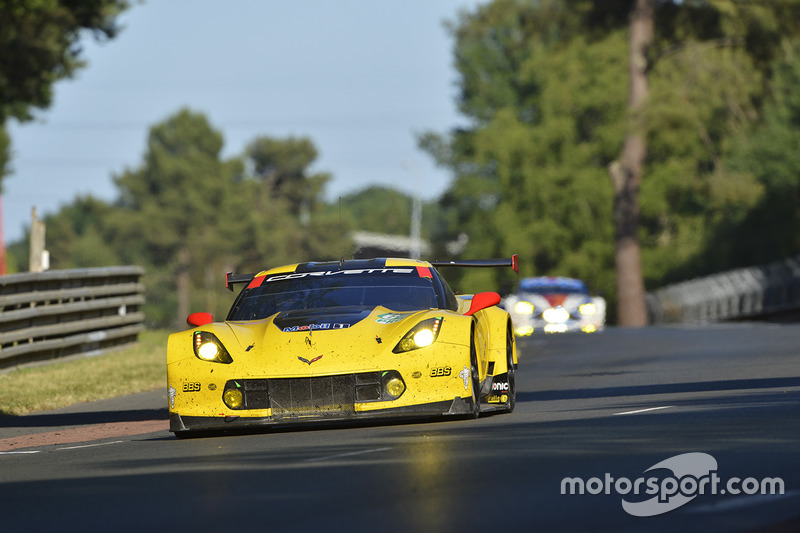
(771, 290)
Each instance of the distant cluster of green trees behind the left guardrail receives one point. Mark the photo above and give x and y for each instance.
(189, 216)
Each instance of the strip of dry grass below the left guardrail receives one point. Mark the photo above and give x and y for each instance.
(86, 379)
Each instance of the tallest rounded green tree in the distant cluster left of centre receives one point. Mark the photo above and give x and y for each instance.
(176, 200)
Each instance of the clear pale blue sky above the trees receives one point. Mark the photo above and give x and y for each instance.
(360, 79)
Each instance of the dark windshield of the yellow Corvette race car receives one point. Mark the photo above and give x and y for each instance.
(395, 292)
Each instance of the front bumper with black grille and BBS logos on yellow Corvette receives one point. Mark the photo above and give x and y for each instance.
(338, 397)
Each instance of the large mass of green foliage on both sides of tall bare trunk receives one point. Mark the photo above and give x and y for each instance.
(544, 85)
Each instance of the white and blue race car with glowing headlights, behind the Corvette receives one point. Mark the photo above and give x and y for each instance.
(554, 305)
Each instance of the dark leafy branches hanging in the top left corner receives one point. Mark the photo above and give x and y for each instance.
(39, 45)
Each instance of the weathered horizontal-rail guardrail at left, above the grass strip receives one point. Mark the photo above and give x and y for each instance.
(47, 315)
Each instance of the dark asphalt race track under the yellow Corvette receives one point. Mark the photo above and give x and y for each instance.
(602, 409)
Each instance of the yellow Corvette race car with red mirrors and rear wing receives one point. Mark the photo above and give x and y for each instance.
(343, 341)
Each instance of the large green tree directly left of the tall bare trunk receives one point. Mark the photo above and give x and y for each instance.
(530, 175)
